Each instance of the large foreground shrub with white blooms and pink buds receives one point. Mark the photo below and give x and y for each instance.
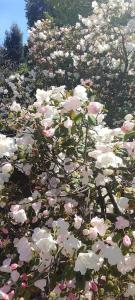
(67, 186)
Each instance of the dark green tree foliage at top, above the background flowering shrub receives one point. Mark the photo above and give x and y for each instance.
(64, 12)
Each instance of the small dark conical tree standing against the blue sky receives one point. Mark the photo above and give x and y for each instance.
(14, 44)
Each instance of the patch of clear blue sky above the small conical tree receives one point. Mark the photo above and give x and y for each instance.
(12, 11)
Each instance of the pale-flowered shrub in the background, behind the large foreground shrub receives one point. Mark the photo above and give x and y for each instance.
(99, 49)
